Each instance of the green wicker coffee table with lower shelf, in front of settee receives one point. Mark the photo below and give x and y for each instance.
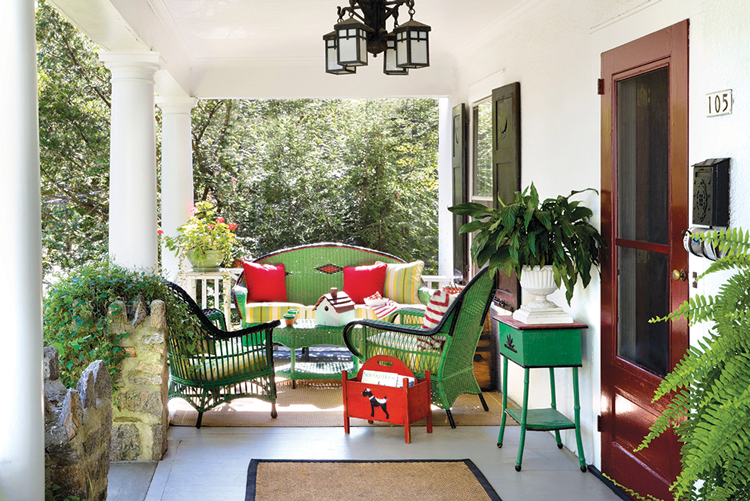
(303, 334)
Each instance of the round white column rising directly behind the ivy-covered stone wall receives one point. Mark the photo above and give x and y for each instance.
(132, 179)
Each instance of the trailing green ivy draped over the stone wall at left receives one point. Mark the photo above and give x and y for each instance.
(76, 319)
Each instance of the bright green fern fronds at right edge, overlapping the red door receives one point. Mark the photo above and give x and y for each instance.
(710, 408)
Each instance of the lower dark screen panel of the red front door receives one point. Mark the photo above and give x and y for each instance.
(643, 293)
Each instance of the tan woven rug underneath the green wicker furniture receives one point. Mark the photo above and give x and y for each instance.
(319, 404)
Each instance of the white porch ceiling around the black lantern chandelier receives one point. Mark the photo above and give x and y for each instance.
(266, 48)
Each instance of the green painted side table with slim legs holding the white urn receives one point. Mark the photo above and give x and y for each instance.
(541, 347)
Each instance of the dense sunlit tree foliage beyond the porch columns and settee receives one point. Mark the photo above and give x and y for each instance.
(289, 172)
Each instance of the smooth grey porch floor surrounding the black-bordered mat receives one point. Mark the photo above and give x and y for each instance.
(211, 463)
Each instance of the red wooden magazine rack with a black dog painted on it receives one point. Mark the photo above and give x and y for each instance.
(388, 404)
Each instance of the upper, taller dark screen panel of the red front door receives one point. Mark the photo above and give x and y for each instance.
(643, 157)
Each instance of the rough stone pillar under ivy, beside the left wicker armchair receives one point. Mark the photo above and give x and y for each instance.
(141, 415)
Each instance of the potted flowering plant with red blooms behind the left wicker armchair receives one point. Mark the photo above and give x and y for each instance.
(206, 239)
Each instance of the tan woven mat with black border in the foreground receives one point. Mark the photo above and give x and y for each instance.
(439, 480)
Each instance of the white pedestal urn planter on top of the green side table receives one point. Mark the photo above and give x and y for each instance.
(539, 281)
